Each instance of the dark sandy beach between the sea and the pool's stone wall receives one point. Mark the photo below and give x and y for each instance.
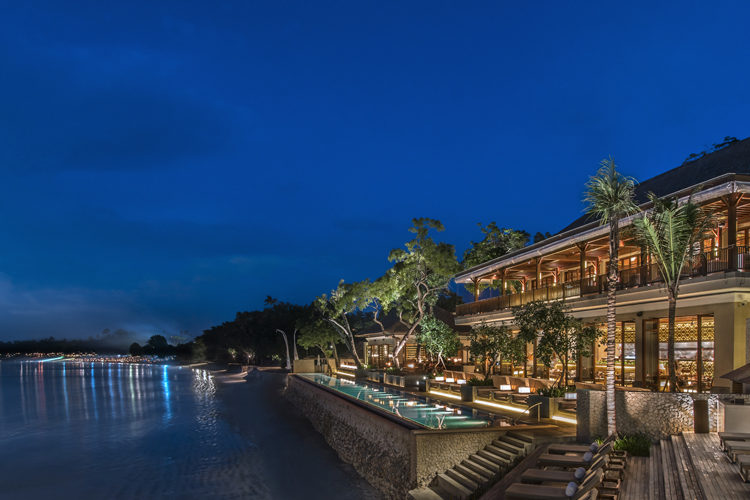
(297, 462)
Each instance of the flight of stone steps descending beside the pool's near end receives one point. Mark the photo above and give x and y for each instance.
(479, 470)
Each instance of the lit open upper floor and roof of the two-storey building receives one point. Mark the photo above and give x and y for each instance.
(574, 262)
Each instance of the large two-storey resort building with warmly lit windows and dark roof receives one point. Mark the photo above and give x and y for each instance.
(712, 330)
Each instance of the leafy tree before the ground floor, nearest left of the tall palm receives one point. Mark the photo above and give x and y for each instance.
(560, 334)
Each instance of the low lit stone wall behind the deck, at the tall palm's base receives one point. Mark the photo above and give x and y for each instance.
(657, 414)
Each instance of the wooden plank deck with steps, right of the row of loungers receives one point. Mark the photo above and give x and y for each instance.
(687, 467)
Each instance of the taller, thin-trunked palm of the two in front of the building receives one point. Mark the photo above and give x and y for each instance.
(609, 197)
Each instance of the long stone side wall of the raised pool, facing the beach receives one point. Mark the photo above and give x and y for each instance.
(380, 450)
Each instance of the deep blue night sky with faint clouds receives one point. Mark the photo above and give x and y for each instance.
(166, 164)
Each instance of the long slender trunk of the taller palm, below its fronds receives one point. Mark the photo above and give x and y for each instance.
(611, 326)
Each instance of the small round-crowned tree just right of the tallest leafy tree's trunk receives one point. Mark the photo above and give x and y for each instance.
(491, 343)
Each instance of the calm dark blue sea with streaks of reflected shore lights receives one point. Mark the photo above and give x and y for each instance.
(83, 430)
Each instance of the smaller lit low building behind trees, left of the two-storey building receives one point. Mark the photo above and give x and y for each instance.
(380, 343)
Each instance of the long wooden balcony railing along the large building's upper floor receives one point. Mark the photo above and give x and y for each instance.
(719, 260)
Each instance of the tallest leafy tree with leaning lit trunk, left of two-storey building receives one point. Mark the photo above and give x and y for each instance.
(419, 276)
